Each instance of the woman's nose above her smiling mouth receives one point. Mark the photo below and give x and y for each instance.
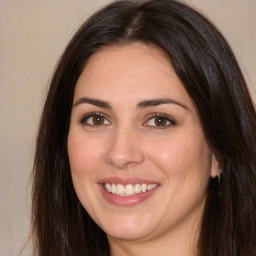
(125, 148)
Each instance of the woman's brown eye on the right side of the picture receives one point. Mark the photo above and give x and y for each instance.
(160, 121)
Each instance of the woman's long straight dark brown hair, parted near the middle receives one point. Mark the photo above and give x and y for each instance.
(209, 72)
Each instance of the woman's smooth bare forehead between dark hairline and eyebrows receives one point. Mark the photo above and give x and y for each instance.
(136, 70)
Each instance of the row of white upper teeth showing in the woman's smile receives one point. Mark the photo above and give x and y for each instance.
(129, 189)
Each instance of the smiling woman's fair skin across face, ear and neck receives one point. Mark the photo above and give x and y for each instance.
(130, 143)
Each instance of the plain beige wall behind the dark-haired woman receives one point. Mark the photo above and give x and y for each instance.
(33, 34)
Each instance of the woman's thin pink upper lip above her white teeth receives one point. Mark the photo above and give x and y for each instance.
(125, 181)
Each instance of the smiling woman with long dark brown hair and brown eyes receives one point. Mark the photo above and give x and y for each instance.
(146, 141)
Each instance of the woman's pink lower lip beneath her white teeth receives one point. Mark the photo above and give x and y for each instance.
(126, 200)
